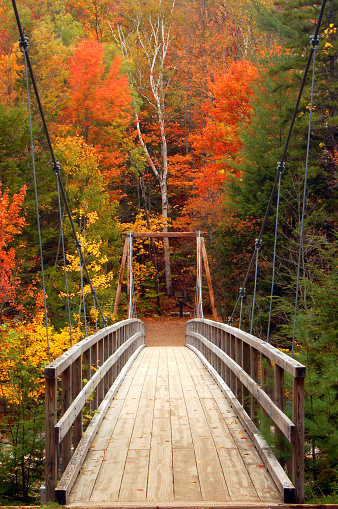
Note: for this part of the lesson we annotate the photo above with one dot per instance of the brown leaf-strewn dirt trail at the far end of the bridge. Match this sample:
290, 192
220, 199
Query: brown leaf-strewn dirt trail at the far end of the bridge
169, 332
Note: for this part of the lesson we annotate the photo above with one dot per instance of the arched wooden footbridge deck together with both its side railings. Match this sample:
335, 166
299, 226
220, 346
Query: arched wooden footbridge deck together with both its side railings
172, 426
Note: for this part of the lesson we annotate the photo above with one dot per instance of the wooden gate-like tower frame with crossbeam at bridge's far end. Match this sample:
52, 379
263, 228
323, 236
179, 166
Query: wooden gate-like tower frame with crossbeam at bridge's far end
200, 249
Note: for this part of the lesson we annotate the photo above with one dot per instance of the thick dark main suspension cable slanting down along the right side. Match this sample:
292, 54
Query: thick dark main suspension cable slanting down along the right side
315, 36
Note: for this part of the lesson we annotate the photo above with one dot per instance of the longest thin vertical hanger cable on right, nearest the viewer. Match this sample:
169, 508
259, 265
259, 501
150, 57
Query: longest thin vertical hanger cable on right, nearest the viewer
314, 47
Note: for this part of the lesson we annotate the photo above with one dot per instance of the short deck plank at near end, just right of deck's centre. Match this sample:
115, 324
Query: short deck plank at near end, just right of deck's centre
186, 481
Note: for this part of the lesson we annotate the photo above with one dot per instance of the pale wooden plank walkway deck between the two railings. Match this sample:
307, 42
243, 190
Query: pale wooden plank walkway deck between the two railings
170, 436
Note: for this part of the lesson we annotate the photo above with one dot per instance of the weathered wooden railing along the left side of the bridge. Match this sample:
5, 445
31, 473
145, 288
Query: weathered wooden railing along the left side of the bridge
79, 385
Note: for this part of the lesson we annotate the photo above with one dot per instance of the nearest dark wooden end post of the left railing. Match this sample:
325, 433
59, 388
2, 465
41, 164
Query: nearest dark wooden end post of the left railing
50, 445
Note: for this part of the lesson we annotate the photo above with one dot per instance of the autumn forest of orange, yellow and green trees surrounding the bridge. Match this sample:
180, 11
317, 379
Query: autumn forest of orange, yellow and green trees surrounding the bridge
166, 115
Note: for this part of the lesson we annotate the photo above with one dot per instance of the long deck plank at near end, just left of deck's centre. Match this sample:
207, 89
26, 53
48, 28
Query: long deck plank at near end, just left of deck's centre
160, 476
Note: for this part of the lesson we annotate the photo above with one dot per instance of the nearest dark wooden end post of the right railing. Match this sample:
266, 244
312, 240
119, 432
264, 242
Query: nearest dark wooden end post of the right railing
298, 445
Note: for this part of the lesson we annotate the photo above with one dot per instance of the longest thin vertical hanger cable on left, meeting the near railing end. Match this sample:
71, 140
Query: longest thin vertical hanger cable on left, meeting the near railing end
24, 48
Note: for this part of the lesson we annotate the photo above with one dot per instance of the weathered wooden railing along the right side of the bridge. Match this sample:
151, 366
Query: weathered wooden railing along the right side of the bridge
251, 374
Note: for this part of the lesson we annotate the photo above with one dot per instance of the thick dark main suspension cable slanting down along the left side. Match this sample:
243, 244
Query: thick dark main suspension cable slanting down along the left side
55, 164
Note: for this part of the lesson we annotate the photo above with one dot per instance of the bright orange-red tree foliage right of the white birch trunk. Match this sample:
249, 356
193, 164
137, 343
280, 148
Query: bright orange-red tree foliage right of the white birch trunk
218, 142
